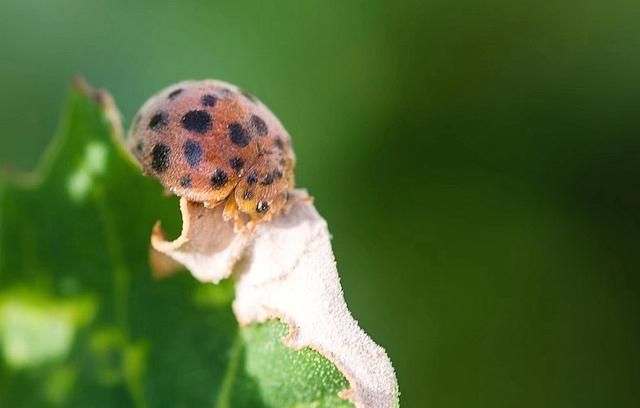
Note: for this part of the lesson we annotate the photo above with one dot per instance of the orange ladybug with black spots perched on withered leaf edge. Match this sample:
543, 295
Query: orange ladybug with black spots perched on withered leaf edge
212, 142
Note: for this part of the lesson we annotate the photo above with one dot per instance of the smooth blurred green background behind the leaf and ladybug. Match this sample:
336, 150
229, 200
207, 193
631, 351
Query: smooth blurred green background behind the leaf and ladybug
478, 164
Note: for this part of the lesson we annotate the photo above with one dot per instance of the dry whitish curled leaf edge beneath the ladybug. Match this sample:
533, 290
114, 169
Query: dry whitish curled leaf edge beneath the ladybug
285, 269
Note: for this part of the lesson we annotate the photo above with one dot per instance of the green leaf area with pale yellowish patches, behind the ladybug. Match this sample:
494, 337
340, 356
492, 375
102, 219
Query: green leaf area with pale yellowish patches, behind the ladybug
82, 321
